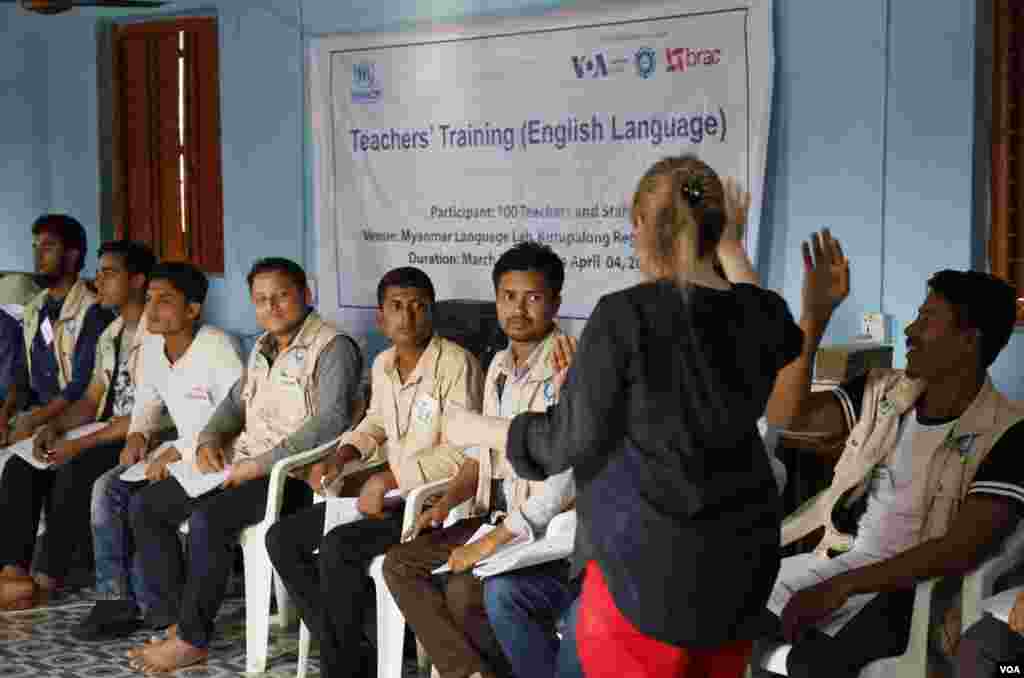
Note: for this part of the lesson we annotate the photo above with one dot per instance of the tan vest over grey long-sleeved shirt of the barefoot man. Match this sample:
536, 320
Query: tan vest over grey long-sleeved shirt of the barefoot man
280, 398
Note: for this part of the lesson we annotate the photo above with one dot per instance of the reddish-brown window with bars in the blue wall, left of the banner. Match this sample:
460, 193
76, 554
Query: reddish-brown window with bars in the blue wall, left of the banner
167, 191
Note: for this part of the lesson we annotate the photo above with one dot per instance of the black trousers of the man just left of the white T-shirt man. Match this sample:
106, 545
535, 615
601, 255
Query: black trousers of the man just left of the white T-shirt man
66, 494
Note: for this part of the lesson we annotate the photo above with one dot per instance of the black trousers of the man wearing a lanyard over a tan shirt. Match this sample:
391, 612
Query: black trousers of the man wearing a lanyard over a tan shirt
328, 588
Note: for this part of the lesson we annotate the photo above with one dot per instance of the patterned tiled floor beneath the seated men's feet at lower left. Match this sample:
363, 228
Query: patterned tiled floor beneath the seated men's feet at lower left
37, 645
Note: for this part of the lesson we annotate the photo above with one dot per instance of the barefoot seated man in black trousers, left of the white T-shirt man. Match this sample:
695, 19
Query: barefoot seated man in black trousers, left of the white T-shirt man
65, 488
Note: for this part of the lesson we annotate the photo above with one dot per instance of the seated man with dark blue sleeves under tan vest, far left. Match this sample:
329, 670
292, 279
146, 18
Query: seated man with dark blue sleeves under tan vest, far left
62, 325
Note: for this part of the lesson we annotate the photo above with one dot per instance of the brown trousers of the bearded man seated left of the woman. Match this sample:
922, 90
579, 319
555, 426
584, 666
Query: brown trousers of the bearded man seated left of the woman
446, 613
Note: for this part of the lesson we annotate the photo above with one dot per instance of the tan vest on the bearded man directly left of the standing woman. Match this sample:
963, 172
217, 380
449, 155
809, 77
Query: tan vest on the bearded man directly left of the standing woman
536, 395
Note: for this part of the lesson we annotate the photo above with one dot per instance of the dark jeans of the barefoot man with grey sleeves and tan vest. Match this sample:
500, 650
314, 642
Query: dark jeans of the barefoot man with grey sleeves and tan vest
190, 594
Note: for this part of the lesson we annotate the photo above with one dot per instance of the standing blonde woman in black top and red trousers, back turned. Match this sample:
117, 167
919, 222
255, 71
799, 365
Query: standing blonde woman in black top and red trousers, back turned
678, 511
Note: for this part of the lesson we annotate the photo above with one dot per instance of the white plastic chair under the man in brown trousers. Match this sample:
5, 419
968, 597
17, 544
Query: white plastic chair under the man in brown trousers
391, 623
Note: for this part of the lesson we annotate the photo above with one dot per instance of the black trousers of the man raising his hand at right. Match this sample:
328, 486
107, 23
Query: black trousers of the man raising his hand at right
882, 629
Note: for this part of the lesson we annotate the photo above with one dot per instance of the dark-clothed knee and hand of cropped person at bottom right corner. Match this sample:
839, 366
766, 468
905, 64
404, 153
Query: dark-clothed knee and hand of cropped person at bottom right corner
993, 647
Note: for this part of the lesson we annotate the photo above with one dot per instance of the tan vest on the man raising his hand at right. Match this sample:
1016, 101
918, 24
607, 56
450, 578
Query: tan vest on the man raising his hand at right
944, 467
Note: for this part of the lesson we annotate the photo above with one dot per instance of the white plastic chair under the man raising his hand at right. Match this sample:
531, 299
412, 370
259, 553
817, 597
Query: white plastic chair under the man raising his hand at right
916, 662
